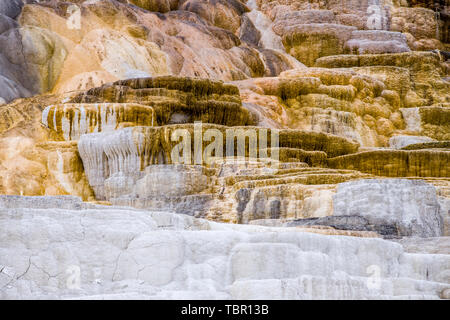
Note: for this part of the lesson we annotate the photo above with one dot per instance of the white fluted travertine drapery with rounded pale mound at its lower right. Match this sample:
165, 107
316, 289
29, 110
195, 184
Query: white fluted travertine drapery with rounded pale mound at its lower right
112, 162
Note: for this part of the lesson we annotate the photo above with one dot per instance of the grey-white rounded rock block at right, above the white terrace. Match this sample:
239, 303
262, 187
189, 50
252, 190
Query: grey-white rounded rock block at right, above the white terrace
397, 207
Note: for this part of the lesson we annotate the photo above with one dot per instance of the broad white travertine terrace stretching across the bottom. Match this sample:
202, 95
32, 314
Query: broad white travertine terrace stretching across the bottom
112, 252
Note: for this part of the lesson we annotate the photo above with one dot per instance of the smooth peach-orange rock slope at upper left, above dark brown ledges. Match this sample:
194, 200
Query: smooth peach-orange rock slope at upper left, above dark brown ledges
198, 39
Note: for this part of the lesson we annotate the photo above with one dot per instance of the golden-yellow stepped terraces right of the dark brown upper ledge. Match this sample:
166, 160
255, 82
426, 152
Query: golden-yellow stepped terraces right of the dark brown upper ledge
355, 104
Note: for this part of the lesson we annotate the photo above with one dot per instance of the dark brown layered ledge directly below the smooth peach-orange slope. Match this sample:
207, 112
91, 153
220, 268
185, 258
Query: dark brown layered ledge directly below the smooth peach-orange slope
176, 99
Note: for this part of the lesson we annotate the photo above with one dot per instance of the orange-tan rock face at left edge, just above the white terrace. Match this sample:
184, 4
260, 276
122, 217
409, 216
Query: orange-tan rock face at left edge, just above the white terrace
30, 163
